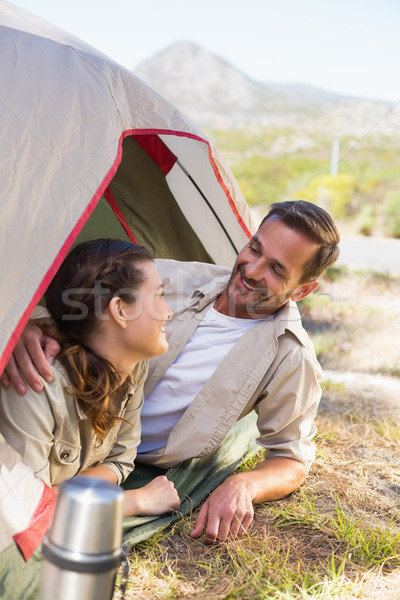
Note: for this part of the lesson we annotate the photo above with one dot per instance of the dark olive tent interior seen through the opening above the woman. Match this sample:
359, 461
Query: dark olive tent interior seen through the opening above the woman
146, 207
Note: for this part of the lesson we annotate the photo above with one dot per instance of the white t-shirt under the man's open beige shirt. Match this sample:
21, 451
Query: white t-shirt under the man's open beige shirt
203, 352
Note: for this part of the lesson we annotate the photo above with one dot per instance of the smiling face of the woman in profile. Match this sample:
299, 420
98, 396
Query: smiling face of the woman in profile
145, 334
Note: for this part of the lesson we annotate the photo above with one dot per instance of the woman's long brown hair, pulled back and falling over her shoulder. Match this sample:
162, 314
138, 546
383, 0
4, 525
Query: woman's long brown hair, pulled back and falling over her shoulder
90, 276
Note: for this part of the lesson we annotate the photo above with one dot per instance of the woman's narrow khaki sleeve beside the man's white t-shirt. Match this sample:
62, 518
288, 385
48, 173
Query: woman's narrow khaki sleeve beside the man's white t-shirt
121, 459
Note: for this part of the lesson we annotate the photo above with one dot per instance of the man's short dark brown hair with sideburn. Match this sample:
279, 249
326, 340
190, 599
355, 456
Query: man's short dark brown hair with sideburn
316, 224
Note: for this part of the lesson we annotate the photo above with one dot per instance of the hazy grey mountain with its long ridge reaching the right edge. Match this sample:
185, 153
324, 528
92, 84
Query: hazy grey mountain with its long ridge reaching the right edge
214, 94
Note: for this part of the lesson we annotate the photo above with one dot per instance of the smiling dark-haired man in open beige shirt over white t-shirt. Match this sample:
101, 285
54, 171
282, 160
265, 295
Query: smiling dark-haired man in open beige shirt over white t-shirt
237, 345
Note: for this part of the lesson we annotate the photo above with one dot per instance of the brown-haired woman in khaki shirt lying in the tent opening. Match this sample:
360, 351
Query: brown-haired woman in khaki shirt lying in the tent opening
108, 312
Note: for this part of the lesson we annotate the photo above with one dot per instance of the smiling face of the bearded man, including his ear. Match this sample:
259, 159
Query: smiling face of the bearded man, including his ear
268, 272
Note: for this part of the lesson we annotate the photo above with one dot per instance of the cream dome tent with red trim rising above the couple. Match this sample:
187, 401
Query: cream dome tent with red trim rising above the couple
88, 149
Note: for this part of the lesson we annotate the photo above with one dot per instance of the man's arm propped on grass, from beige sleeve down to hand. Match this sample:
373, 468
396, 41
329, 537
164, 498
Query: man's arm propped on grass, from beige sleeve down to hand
286, 412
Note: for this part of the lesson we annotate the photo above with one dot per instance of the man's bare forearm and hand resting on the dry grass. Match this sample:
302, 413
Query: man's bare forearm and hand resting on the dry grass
228, 511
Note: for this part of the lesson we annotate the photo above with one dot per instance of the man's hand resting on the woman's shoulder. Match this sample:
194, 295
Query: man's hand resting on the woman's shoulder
34, 350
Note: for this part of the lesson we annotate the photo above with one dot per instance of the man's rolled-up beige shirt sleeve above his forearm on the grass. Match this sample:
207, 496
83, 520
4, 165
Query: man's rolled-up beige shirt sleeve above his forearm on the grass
287, 408
